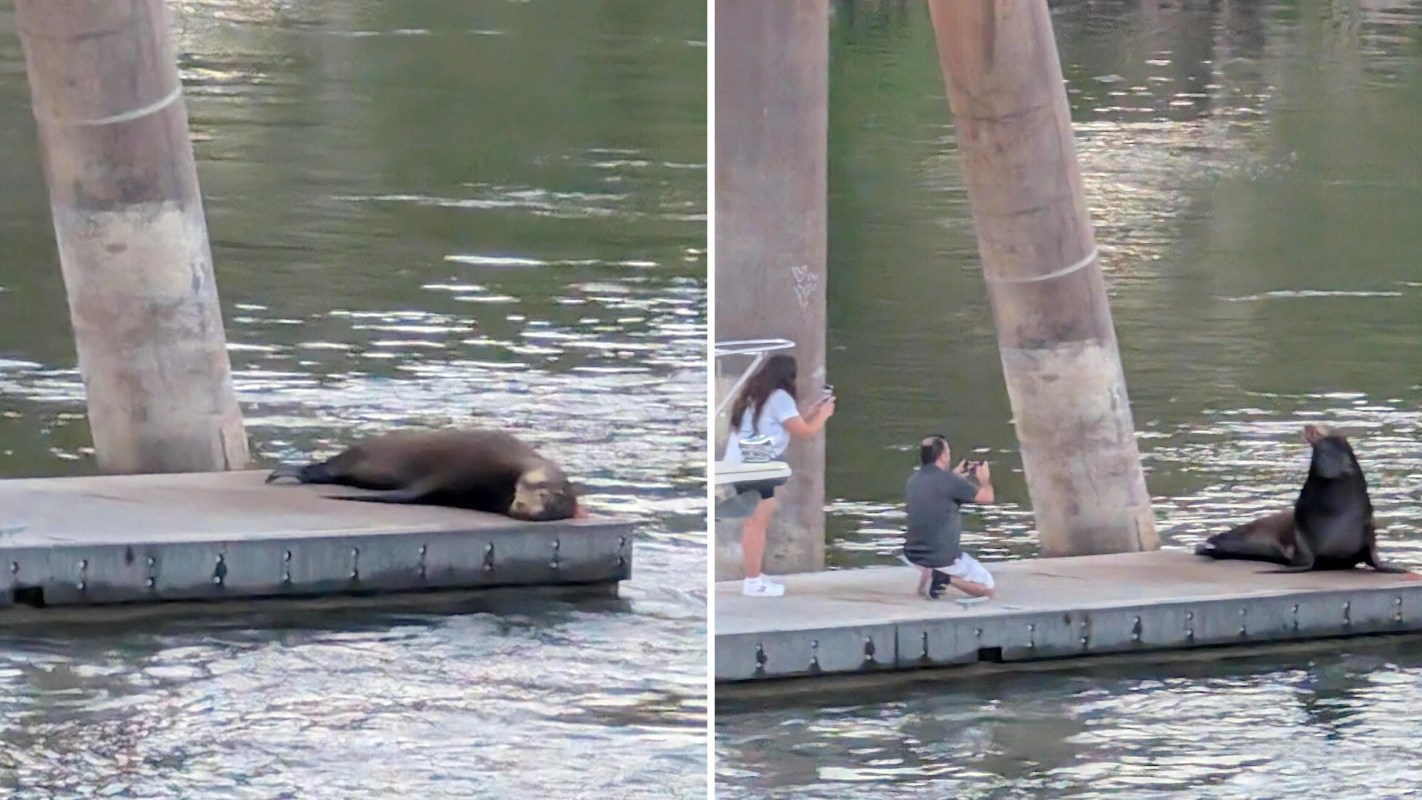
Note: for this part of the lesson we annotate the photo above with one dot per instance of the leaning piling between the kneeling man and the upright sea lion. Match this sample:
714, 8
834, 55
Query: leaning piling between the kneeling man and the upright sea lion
1059, 349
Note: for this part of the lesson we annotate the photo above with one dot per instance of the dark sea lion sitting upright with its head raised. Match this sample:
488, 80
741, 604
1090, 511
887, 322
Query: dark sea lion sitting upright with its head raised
1330, 526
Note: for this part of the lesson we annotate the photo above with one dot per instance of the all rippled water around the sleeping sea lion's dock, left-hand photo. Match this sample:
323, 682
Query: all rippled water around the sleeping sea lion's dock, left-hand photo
422, 214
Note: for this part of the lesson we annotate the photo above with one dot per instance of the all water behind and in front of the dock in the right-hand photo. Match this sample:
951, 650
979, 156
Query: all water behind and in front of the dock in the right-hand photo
1255, 177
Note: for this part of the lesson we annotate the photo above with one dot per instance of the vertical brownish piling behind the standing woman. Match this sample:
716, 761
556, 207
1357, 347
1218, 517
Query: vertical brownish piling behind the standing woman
771, 140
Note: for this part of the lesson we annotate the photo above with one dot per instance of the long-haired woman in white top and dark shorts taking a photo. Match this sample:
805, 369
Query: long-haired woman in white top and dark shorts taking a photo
767, 409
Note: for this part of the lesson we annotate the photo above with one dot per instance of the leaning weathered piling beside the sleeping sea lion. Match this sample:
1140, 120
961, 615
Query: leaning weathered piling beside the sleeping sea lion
132, 234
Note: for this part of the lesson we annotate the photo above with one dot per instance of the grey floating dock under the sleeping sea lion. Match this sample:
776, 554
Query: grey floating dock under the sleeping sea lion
73, 542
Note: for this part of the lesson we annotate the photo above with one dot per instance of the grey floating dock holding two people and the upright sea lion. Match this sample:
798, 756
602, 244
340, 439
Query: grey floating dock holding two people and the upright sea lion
872, 620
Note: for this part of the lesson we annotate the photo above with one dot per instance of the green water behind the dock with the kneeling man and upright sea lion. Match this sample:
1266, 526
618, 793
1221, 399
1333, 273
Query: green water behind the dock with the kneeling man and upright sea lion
1255, 187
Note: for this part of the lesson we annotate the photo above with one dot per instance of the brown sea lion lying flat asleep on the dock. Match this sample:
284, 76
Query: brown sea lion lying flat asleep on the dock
486, 471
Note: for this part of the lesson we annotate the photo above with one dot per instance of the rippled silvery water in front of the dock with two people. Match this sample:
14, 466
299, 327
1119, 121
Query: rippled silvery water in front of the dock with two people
1290, 724
